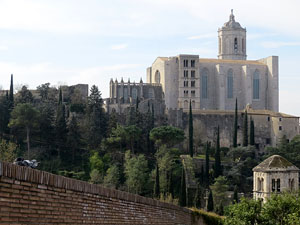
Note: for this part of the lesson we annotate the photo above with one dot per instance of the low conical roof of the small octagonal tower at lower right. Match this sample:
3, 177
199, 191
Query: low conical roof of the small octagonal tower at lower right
275, 163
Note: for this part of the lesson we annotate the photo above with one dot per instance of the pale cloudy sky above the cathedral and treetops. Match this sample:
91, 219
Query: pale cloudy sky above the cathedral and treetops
91, 41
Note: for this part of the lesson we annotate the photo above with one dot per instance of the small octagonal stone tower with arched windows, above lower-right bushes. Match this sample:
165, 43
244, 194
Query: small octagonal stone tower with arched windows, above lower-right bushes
274, 175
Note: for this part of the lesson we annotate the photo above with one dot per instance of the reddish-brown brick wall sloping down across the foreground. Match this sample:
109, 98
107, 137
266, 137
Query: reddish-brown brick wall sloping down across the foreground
29, 196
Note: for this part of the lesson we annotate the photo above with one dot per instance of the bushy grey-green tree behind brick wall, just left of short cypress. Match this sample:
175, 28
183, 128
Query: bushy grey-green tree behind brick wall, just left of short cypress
136, 173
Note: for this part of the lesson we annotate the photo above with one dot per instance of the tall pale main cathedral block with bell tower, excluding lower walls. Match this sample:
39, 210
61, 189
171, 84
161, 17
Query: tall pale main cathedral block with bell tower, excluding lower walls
216, 83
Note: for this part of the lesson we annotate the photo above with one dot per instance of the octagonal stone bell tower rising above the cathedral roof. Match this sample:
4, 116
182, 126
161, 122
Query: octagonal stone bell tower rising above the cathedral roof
232, 40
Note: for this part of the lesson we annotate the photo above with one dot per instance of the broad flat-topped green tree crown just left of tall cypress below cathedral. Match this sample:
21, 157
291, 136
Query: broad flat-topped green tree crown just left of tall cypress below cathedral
167, 135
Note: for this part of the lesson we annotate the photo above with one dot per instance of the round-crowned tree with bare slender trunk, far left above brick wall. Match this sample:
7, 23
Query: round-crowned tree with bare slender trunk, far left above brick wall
25, 116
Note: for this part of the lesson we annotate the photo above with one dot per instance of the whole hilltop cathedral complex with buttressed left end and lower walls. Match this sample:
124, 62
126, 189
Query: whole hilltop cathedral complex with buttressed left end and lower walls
212, 86
